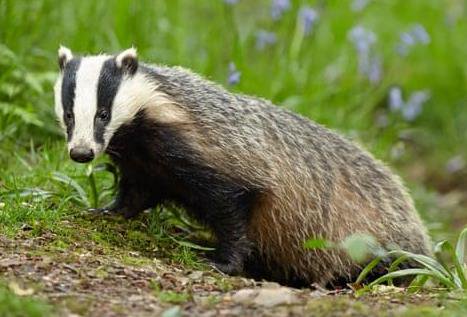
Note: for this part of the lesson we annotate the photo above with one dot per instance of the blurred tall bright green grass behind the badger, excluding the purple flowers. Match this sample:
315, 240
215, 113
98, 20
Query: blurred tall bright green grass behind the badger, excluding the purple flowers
316, 74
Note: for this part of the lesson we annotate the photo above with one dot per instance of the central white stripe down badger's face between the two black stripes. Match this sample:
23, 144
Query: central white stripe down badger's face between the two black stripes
85, 103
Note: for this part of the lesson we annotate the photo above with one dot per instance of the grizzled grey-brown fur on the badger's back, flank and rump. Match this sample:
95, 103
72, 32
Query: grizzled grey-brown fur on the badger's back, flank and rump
316, 184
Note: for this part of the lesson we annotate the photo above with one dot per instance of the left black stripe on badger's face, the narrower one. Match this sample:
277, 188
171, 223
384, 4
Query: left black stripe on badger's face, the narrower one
68, 94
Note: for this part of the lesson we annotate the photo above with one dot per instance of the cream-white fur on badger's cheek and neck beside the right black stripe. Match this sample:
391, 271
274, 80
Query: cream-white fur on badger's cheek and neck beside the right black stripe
134, 94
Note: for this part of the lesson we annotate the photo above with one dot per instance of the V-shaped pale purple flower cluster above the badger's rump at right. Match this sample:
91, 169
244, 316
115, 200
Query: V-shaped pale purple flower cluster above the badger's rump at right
411, 109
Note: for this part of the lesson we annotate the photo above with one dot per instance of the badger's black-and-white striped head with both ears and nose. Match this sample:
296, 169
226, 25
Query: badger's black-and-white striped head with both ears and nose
94, 96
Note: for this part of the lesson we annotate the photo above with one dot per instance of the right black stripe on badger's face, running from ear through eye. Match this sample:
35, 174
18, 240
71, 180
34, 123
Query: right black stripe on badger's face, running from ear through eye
109, 81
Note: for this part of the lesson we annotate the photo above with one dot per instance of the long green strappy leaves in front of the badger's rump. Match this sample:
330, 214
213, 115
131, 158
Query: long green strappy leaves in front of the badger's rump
448, 268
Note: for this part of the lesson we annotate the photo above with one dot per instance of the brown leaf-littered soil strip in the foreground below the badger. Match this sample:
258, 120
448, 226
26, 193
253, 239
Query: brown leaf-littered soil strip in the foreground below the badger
86, 279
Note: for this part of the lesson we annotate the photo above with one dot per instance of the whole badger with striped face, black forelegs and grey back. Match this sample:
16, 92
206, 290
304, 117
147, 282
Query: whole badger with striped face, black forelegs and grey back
261, 177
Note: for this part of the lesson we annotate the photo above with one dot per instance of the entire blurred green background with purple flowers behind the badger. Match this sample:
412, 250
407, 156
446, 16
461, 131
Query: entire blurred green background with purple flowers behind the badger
391, 74
